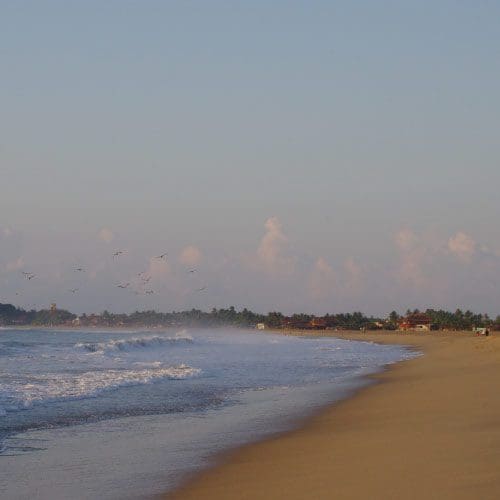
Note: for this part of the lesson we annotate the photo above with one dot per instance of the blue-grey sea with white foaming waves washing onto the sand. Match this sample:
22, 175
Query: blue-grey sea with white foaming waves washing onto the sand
127, 414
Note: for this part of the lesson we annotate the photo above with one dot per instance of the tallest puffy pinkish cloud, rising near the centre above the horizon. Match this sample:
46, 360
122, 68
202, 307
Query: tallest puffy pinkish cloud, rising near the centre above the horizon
271, 251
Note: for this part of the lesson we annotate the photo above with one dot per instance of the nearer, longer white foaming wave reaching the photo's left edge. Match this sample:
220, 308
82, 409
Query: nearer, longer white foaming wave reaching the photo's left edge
51, 388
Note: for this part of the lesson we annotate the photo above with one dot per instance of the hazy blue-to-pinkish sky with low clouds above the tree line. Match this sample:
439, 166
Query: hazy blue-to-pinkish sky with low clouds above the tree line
301, 156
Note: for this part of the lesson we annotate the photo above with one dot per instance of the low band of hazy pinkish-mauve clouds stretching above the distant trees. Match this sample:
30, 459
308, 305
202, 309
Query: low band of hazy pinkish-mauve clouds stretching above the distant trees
417, 268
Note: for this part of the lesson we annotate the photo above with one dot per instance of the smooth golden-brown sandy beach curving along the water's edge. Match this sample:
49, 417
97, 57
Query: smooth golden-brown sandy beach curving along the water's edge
430, 429
